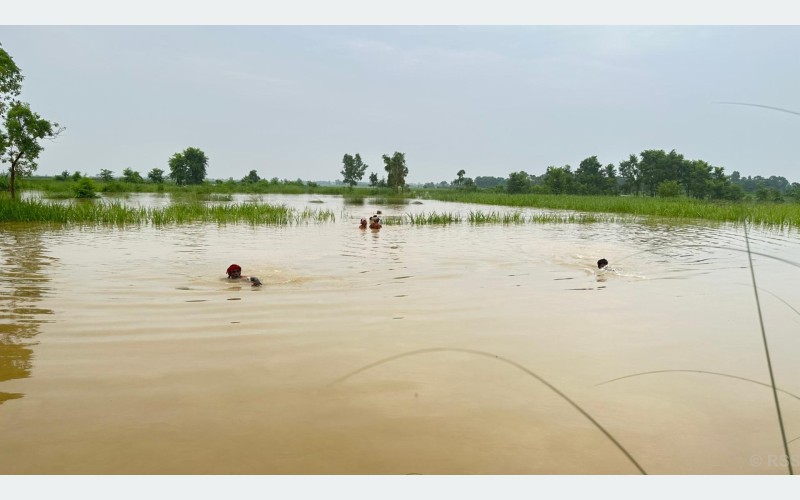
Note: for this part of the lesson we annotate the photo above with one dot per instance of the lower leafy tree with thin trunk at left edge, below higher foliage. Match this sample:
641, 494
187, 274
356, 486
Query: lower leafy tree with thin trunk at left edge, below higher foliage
20, 144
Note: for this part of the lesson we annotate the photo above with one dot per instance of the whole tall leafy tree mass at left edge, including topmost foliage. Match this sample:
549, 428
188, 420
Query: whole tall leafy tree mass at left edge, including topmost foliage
21, 130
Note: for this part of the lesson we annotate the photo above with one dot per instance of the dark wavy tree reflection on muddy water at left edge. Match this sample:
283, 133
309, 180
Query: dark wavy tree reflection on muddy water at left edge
23, 282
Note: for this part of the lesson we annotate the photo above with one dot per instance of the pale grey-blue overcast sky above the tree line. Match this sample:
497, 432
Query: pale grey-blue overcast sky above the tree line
290, 101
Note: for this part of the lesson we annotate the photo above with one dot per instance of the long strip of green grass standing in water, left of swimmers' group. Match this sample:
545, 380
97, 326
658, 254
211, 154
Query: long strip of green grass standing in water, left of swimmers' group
119, 214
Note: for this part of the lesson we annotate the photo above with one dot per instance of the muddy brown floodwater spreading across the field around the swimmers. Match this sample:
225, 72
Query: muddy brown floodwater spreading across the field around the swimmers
457, 349
